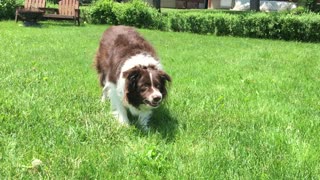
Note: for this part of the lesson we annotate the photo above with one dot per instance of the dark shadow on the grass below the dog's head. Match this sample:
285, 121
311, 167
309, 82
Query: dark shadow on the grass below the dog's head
163, 123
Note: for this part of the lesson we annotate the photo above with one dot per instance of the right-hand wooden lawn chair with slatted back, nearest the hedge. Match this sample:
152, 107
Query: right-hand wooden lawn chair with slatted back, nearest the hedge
68, 10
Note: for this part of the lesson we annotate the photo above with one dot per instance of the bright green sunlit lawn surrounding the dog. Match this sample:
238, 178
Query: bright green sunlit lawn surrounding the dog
237, 109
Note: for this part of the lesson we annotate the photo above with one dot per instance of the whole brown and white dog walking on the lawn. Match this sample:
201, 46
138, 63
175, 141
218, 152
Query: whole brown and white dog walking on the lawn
130, 74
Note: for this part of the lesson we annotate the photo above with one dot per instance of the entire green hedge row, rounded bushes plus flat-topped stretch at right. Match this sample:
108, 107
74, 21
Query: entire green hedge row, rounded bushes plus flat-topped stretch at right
286, 26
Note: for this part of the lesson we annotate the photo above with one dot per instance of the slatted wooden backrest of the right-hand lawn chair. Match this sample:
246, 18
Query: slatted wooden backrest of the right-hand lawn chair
67, 7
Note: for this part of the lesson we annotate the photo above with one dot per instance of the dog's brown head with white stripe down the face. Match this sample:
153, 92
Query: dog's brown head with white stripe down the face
145, 85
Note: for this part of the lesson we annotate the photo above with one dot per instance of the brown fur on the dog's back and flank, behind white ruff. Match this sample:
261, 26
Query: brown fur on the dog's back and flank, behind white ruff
117, 44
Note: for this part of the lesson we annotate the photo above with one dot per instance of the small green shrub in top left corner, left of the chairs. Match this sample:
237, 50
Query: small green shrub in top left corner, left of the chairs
7, 9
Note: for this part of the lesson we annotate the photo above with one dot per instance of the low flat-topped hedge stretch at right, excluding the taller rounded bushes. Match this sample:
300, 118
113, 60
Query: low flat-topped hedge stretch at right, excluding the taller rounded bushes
288, 26
